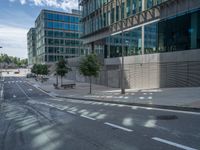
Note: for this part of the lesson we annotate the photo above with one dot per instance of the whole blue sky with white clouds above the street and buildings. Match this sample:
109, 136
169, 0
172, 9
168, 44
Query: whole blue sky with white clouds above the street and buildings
18, 16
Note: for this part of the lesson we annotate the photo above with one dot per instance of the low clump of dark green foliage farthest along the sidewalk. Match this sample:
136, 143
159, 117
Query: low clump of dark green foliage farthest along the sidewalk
40, 69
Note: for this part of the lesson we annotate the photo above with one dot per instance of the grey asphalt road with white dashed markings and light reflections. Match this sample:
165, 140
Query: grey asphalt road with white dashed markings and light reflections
31, 119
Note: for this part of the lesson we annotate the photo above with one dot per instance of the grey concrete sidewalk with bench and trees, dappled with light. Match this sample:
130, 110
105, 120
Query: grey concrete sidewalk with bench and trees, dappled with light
180, 98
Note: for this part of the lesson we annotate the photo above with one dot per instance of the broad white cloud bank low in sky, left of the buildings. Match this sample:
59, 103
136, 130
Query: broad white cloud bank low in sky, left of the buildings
13, 40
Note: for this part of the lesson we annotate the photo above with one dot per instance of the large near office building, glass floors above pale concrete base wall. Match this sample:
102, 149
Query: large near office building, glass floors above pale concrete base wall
160, 40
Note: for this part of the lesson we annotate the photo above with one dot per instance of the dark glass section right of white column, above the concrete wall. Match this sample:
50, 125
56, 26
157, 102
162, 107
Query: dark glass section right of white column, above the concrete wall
174, 34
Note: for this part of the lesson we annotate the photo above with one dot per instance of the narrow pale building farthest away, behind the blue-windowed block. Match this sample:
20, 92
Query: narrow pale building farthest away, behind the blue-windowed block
31, 45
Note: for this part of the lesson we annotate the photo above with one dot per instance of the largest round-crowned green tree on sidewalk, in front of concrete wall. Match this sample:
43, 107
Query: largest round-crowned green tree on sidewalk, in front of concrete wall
90, 67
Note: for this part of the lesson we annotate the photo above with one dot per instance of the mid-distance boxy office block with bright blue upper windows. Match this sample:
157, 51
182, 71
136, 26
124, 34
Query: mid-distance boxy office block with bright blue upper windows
57, 36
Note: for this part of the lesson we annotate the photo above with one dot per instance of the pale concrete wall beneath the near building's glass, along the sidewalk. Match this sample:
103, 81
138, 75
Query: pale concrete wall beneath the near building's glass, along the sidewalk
174, 69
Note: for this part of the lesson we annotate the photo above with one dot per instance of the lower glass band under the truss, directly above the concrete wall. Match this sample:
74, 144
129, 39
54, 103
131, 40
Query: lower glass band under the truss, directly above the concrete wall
174, 34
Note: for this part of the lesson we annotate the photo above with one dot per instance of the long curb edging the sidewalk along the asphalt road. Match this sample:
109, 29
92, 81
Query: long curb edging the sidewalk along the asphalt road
180, 108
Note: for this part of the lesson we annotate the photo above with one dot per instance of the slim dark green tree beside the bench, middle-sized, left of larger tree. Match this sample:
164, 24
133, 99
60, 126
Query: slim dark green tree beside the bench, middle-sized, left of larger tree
62, 69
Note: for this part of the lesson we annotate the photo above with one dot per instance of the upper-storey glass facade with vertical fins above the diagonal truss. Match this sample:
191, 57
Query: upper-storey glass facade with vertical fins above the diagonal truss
113, 13
